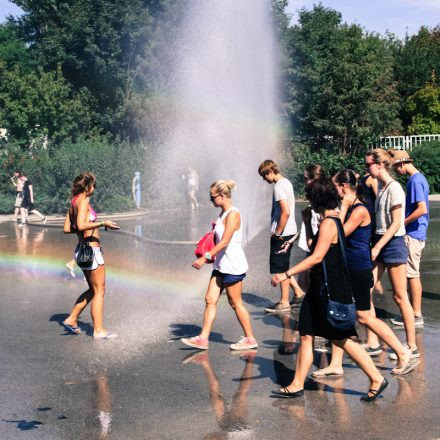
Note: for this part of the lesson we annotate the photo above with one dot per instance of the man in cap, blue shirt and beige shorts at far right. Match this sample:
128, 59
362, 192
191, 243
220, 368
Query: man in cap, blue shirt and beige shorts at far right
416, 225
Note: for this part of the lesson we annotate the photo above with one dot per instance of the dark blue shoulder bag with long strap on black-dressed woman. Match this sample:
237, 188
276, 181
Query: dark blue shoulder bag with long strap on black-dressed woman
340, 316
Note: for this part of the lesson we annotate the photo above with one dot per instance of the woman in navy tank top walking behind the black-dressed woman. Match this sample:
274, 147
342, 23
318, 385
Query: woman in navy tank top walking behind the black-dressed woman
357, 228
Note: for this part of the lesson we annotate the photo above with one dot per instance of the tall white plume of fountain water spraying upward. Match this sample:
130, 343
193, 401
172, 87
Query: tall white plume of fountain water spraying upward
224, 94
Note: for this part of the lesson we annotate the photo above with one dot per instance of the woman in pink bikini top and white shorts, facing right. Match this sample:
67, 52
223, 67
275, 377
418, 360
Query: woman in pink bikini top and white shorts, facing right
82, 220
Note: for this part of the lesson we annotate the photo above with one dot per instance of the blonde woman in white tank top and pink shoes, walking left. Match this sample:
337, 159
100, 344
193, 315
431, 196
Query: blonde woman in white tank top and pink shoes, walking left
230, 268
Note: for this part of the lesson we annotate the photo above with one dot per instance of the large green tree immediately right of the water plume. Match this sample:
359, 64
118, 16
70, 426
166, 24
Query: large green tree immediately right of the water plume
341, 88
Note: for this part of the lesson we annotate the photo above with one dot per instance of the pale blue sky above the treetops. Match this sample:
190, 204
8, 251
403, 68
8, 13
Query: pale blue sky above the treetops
395, 16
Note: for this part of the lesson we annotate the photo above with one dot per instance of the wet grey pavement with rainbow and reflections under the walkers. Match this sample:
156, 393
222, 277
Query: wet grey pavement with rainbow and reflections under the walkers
146, 384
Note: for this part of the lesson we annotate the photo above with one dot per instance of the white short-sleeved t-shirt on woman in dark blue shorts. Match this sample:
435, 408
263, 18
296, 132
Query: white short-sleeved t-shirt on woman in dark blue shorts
387, 197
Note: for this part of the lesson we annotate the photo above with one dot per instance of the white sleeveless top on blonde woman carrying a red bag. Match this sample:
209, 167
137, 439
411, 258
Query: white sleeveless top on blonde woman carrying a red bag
230, 260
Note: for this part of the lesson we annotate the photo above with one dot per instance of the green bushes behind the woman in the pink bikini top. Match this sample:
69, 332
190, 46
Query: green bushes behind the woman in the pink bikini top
52, 173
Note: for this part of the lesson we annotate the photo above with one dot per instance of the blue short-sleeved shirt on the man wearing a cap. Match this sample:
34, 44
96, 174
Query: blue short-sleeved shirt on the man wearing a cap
417, 190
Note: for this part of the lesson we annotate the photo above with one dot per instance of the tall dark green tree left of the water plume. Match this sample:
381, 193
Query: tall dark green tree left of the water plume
96, 43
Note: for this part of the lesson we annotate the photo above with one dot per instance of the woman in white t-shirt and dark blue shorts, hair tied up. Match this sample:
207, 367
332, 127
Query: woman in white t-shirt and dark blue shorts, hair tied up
389, 250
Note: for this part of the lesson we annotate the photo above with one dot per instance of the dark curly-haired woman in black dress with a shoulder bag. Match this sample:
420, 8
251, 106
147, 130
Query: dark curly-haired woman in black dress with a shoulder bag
324, 199
